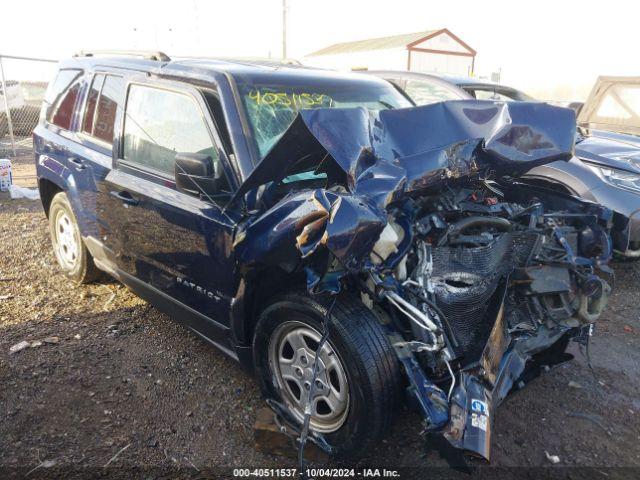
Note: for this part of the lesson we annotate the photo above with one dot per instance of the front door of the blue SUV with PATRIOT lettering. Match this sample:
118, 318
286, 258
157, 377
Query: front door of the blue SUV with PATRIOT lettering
173, 247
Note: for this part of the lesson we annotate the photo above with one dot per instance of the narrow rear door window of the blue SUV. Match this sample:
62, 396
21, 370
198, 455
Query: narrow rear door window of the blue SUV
105, 96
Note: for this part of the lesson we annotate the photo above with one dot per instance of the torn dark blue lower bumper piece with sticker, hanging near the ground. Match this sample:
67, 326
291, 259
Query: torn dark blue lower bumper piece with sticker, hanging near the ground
464, 417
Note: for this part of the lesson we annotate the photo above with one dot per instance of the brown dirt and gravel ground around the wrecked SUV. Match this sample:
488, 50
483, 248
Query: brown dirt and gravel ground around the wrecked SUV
119, 377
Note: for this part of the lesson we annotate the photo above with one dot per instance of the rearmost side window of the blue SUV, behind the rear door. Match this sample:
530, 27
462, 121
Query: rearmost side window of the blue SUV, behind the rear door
61, 98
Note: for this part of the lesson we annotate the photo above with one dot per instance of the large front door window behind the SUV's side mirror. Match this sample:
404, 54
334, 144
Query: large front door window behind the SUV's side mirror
160, 123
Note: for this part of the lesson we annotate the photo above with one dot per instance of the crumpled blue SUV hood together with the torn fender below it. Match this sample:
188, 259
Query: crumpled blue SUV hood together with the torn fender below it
382, 159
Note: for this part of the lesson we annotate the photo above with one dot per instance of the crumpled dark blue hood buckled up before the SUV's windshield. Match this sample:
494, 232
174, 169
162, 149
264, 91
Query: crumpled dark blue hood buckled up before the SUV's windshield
390, 152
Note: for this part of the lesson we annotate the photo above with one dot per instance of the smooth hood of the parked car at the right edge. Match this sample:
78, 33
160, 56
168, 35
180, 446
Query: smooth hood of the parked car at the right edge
609, 153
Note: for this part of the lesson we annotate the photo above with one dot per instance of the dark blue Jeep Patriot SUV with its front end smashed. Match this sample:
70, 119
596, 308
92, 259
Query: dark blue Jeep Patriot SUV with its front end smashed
340, 243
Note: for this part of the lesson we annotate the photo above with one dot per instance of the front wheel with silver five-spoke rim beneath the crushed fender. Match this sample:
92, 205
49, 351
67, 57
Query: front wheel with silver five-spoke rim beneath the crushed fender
365, 359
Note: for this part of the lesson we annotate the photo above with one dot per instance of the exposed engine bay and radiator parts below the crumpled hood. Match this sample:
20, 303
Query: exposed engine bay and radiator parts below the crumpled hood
471, 249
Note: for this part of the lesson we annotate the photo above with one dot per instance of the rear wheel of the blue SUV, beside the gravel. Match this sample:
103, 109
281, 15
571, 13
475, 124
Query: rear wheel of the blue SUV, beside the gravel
70, 251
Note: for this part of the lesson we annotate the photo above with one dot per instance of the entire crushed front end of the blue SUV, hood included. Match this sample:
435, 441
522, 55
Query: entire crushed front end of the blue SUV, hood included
480, 280
